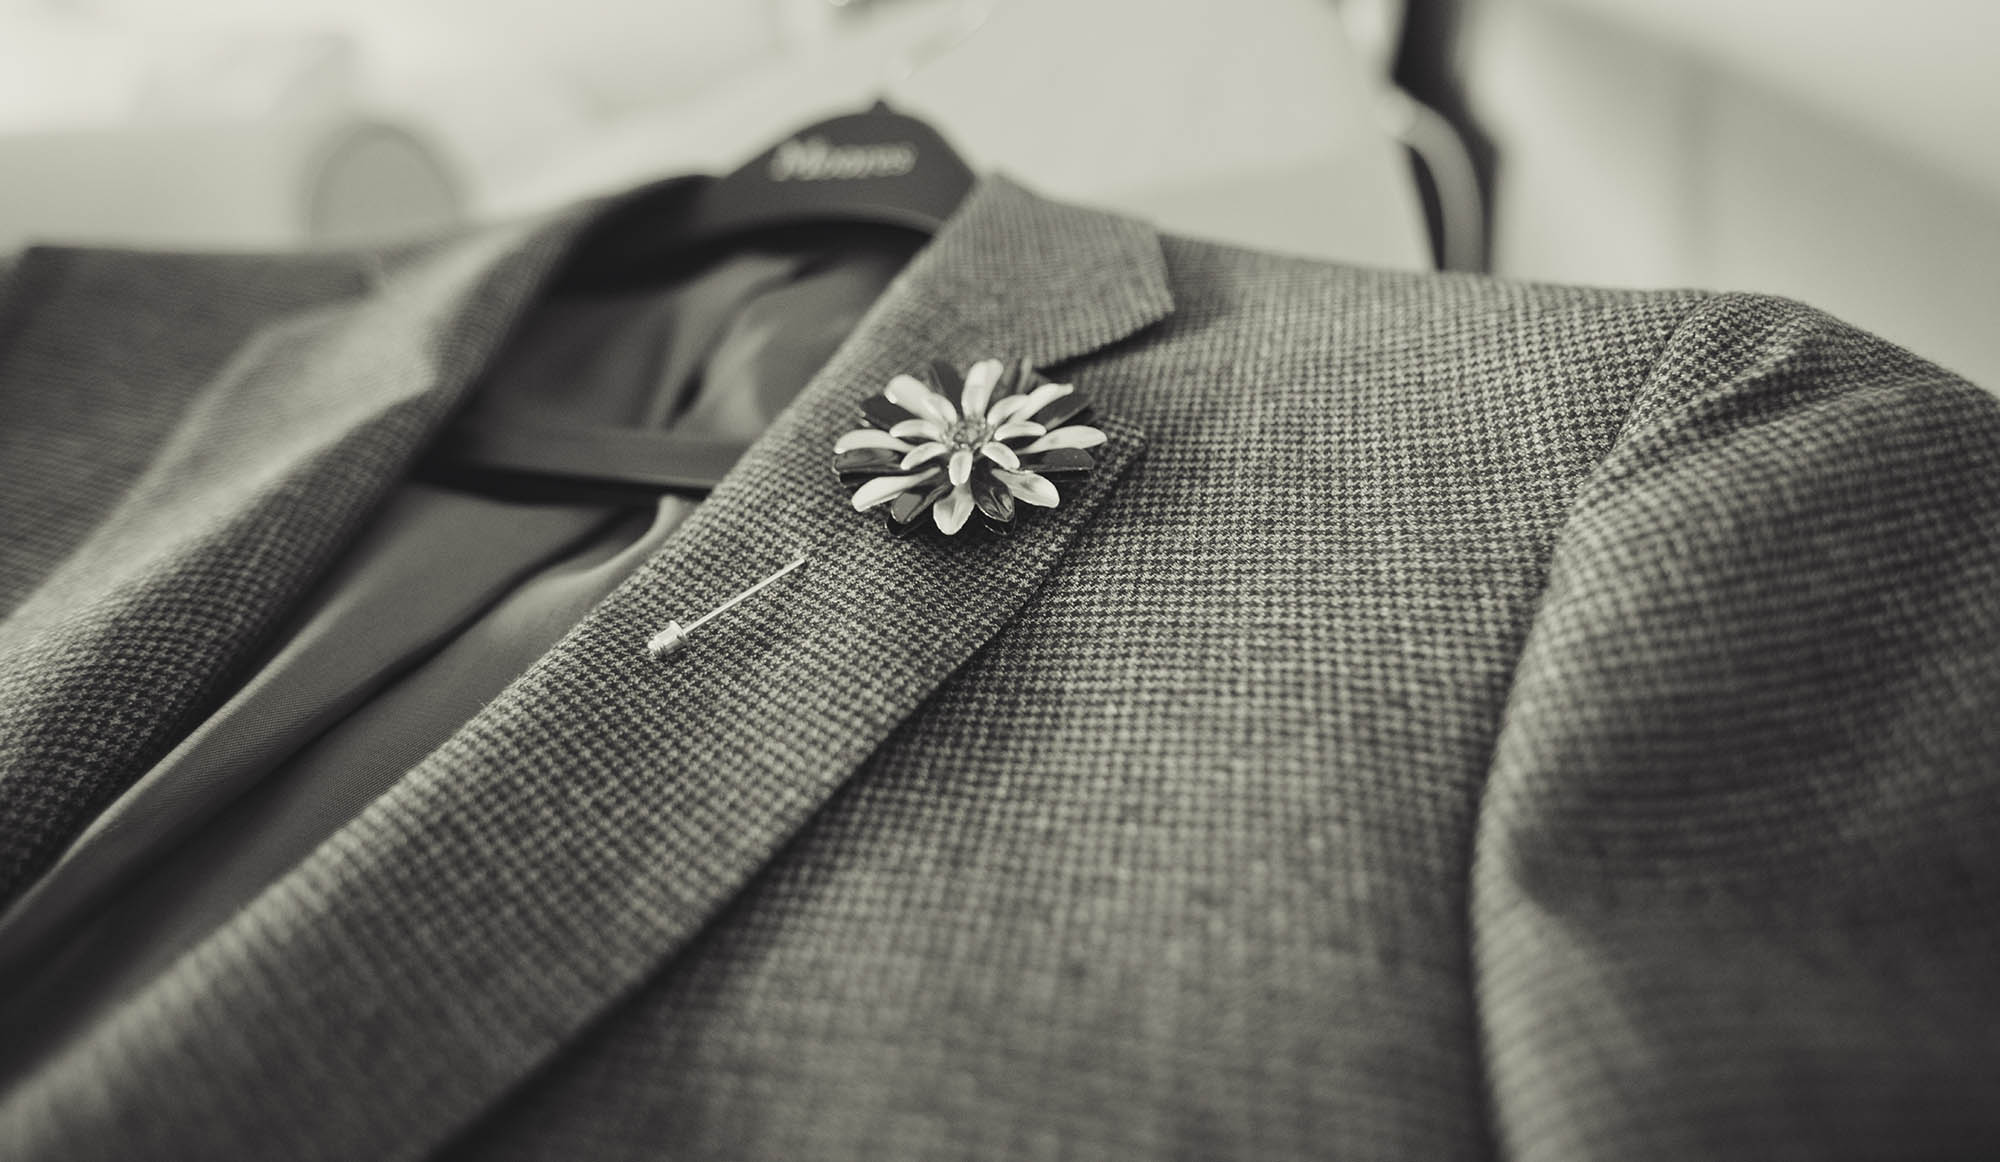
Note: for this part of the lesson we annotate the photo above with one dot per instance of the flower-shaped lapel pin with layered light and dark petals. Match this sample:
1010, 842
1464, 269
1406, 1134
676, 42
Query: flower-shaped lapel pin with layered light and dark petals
1007, 441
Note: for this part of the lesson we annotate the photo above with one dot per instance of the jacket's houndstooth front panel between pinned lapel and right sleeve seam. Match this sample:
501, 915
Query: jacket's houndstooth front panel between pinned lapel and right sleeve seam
1177, 865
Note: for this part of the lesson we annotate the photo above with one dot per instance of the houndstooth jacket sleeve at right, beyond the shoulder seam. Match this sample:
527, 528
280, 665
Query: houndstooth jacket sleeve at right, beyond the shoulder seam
1737, 879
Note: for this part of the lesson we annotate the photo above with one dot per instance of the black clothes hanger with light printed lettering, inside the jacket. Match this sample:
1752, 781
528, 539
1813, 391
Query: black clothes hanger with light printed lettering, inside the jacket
877, 169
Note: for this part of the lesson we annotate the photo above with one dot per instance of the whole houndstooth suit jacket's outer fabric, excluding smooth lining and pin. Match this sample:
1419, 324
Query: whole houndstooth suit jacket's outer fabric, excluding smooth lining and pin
1459, 719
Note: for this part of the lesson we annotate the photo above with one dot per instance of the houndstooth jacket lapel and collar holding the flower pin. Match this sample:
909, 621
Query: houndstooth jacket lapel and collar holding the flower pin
583, 829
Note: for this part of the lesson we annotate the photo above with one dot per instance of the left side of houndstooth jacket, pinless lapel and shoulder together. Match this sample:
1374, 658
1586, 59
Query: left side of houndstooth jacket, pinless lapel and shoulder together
189, 445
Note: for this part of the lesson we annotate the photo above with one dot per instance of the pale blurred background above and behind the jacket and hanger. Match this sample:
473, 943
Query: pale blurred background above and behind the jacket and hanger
1833, 151
